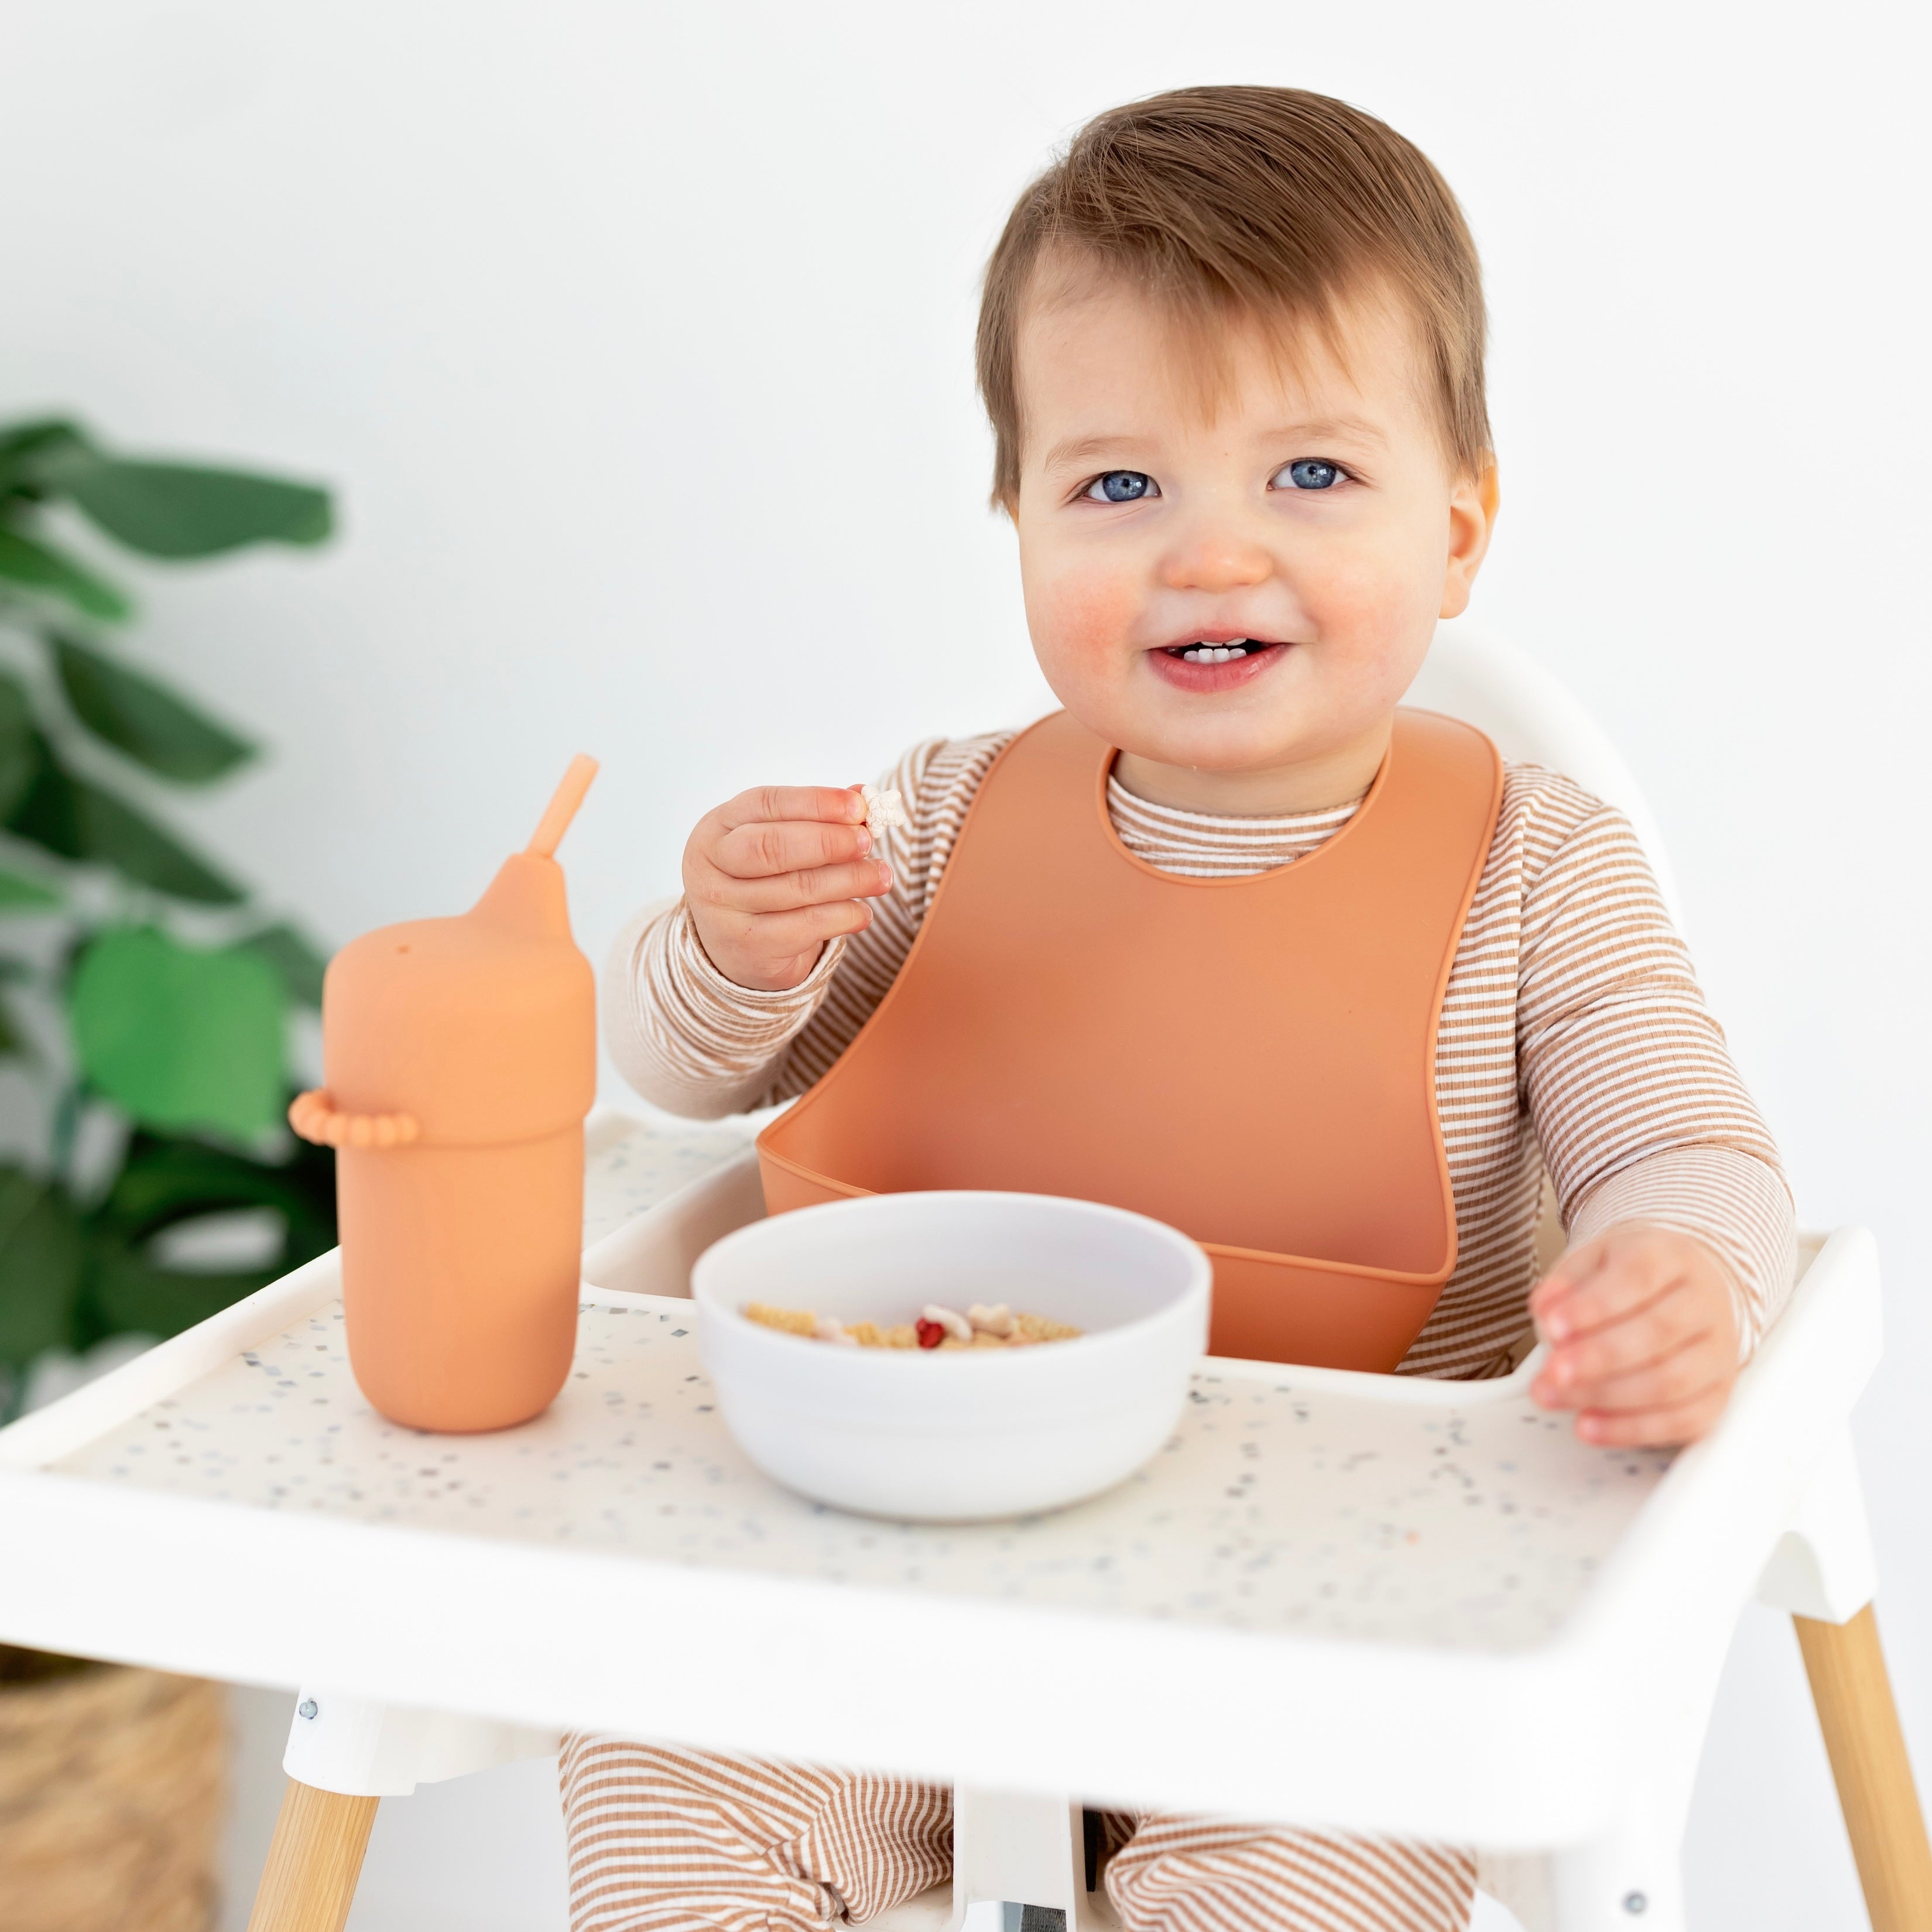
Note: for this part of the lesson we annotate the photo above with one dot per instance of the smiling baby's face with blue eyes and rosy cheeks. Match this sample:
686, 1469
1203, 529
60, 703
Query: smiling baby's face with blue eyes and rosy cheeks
1236, 596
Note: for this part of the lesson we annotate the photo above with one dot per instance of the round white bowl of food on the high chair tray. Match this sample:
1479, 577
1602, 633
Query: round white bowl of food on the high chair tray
955, 1435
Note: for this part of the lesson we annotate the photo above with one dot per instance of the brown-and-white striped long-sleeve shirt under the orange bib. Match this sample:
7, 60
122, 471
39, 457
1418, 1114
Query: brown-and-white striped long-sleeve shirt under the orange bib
1574, 1037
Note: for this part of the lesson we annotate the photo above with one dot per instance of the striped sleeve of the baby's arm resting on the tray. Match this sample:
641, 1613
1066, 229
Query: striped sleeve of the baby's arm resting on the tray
1637, 1104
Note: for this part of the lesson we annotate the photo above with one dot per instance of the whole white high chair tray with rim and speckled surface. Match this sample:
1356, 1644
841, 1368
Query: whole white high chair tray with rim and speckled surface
1317, 1558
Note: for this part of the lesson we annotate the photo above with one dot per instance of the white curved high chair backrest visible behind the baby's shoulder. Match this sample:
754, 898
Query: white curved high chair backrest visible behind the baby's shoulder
1537, 722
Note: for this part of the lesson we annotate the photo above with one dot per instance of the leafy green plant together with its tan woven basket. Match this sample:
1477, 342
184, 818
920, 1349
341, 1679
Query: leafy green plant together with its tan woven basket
148, 1000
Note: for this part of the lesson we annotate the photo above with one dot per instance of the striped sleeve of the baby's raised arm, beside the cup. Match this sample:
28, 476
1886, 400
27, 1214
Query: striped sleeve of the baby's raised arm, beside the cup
702, 1046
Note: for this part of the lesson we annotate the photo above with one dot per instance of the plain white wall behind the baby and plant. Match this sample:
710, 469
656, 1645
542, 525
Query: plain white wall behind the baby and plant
639, 345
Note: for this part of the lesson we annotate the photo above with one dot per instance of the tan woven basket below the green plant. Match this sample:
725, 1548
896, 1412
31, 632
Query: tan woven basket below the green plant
111, 1802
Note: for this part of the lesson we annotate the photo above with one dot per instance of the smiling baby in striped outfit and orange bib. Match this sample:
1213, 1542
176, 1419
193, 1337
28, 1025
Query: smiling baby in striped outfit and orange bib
1234, 355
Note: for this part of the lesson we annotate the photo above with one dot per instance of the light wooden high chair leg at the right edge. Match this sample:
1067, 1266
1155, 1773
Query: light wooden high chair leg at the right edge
1875, 1778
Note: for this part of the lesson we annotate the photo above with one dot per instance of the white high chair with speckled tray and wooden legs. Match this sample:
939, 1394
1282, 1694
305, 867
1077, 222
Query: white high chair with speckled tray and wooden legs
285, 1537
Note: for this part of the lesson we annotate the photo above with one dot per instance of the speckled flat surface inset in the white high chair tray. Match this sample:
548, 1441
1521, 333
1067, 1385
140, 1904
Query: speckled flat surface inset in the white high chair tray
1272, 1508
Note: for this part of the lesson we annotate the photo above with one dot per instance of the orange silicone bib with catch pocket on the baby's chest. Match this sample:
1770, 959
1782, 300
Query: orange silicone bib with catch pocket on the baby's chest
1247, 1060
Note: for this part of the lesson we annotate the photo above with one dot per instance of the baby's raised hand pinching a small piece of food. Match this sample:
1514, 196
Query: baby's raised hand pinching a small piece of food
776, 874
